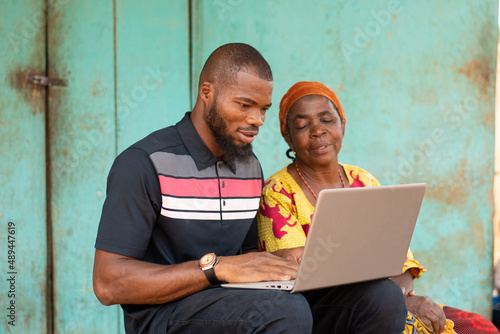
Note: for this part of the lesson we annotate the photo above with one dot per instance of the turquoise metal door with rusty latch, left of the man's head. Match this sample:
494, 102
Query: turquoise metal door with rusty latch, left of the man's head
126, 66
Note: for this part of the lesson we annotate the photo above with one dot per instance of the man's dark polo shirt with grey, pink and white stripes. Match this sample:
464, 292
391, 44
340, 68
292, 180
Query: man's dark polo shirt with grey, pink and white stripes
170, 200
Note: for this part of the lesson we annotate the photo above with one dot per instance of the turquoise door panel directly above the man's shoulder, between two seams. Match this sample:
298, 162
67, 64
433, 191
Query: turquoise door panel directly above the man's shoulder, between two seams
152, 67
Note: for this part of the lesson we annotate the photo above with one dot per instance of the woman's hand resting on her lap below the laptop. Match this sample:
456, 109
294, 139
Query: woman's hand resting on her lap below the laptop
427, 310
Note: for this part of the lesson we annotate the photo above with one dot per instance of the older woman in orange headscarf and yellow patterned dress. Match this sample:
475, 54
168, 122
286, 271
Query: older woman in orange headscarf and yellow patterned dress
312, 122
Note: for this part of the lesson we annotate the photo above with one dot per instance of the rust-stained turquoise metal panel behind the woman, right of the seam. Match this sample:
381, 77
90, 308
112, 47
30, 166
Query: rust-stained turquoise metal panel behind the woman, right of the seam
416, 79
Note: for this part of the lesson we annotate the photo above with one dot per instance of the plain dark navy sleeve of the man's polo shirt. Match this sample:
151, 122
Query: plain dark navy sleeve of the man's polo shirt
133, 202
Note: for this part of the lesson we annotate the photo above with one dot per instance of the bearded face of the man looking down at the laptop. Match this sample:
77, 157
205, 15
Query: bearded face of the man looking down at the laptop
237, 113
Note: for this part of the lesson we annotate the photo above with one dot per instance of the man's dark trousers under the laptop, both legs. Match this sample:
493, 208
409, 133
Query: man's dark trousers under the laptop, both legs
371, 307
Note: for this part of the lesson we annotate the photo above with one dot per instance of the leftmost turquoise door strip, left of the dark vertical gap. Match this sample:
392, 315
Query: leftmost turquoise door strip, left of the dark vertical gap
22, 167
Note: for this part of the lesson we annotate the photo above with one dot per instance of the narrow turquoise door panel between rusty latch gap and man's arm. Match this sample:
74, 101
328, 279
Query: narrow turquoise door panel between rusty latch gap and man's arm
82, 148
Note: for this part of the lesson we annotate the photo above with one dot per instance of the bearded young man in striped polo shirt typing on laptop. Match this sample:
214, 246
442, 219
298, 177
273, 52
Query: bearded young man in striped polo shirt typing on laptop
179, 218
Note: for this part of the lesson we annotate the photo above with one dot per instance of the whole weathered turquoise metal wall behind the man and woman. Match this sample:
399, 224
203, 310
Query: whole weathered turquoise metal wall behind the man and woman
416, 79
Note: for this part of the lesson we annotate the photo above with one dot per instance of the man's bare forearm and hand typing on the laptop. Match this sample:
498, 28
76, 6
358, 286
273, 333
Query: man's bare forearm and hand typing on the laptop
120, 279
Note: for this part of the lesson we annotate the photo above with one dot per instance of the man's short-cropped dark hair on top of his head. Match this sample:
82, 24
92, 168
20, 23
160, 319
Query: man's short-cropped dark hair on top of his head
227, 60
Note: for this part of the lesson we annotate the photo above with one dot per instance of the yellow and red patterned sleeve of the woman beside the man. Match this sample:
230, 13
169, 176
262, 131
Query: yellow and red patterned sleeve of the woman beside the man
278, 226
